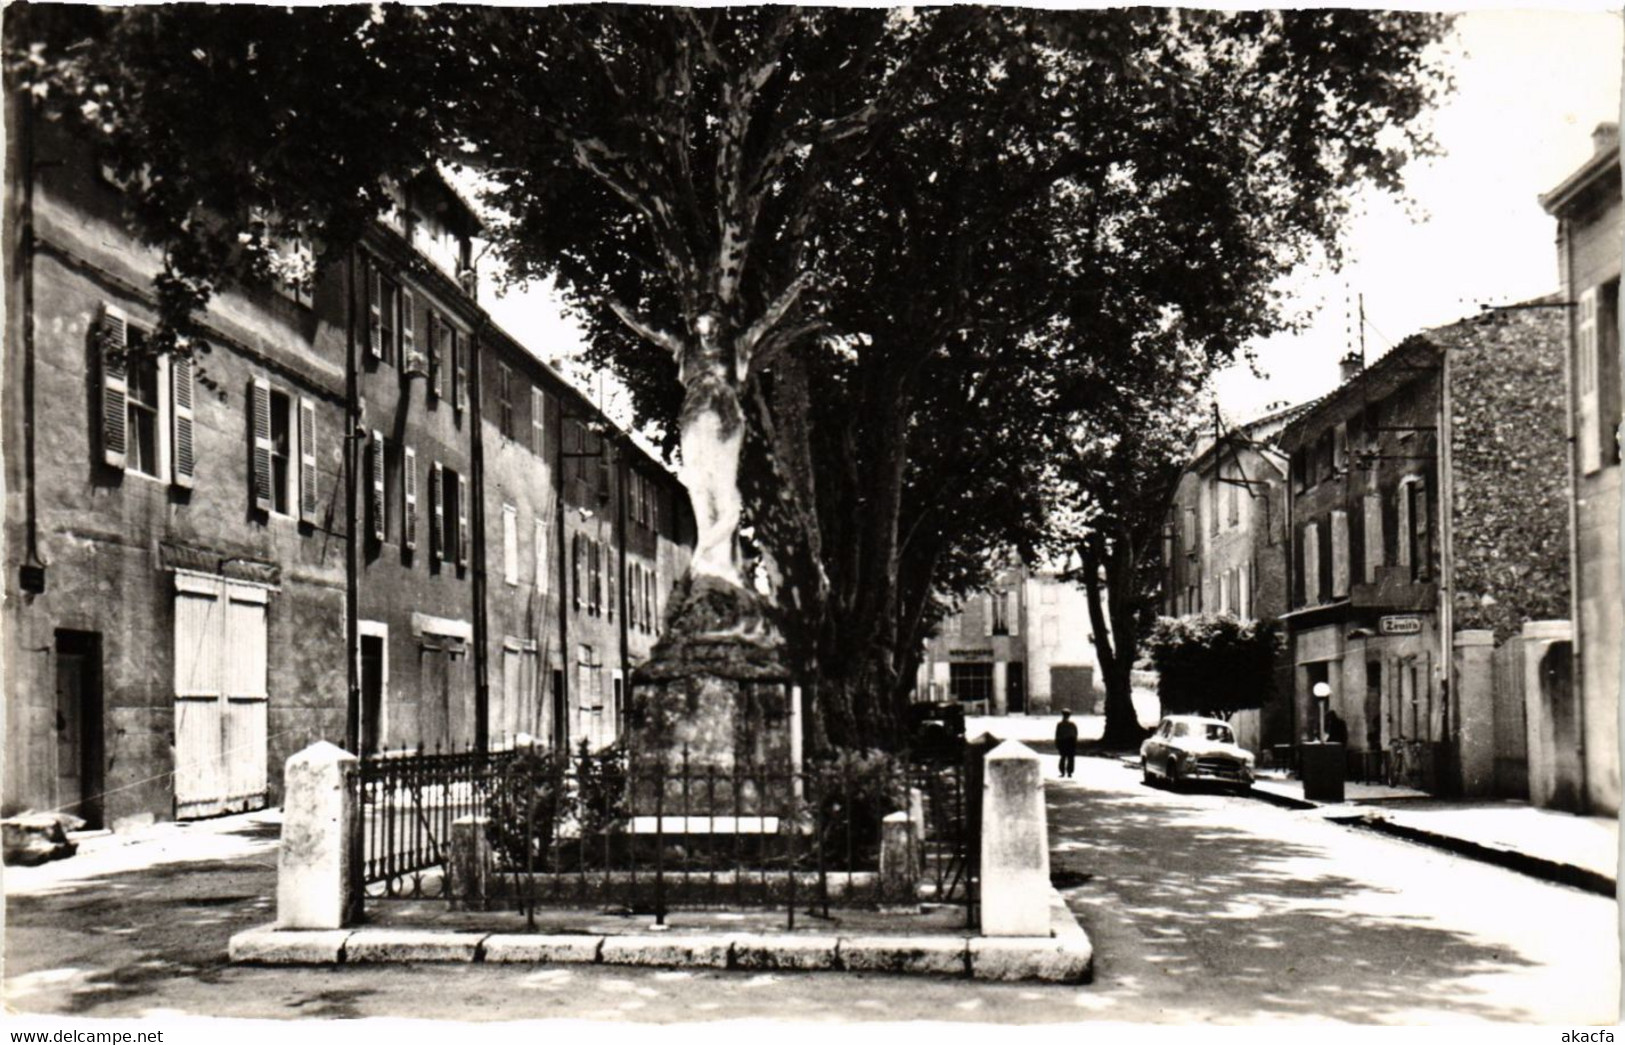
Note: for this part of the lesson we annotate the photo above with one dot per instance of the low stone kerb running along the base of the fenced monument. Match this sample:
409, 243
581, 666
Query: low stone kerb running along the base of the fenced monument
1067, 956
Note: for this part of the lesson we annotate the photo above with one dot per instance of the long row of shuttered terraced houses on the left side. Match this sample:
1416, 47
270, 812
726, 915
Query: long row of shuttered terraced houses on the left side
176, 531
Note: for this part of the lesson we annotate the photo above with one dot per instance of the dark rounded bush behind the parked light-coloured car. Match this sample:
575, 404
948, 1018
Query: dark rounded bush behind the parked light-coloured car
1215, 664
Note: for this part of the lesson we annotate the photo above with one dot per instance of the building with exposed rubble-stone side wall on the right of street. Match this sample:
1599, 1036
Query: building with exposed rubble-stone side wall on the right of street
1428, 522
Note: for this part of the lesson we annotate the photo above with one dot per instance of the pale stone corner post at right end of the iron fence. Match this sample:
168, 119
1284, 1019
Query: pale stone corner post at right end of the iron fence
1015, 844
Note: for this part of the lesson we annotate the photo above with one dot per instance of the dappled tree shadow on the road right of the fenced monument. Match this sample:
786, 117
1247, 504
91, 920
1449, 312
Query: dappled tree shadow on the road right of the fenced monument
1237, 914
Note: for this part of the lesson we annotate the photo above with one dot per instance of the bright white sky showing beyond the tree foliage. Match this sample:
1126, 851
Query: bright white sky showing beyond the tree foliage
1532, 85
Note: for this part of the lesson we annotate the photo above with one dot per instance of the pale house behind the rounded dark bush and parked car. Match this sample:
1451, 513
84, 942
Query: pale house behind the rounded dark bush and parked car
1224, 545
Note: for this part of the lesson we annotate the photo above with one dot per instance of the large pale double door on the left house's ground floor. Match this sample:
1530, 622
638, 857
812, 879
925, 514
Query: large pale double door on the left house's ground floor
222, 698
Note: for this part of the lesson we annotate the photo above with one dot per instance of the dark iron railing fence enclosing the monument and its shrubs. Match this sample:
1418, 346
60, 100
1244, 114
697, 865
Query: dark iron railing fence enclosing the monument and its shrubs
531, 830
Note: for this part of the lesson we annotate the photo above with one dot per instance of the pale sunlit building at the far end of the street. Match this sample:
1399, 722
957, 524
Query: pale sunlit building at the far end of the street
1023, 648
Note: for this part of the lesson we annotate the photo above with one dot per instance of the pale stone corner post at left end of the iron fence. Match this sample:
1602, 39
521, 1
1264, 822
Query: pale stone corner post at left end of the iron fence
314, 869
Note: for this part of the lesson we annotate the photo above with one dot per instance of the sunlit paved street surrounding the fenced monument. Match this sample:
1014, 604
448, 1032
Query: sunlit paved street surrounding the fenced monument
1203, 908
